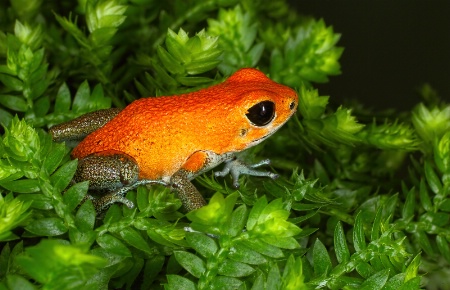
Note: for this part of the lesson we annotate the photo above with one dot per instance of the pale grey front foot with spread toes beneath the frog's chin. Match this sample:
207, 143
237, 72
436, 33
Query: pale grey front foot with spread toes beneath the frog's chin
235, 167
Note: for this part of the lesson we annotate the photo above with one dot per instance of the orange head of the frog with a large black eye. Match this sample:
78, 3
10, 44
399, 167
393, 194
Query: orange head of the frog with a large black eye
262, 106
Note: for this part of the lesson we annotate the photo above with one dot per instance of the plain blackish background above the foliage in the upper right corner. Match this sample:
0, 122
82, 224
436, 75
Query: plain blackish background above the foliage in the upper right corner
391, 48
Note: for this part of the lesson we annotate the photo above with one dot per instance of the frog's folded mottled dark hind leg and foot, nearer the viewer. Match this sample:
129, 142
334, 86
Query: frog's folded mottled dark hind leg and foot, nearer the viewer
115, 173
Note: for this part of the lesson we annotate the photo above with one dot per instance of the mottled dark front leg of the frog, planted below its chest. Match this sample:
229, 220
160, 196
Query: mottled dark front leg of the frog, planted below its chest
189, 195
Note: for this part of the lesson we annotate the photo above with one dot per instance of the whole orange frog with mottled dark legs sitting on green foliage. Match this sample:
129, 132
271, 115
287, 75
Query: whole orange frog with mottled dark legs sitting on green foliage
171, 140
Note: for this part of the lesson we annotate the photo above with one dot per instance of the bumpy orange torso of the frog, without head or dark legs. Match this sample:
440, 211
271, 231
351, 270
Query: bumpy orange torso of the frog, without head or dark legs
161, 133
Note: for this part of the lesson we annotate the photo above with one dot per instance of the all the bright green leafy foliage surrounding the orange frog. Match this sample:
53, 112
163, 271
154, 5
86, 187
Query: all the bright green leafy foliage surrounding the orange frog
368, 210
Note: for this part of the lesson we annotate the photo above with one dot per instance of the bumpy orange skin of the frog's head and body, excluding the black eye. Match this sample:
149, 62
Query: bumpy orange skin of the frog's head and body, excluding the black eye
162, 133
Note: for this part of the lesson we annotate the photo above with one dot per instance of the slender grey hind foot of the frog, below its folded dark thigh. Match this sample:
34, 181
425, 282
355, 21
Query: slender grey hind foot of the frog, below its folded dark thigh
118, 196
